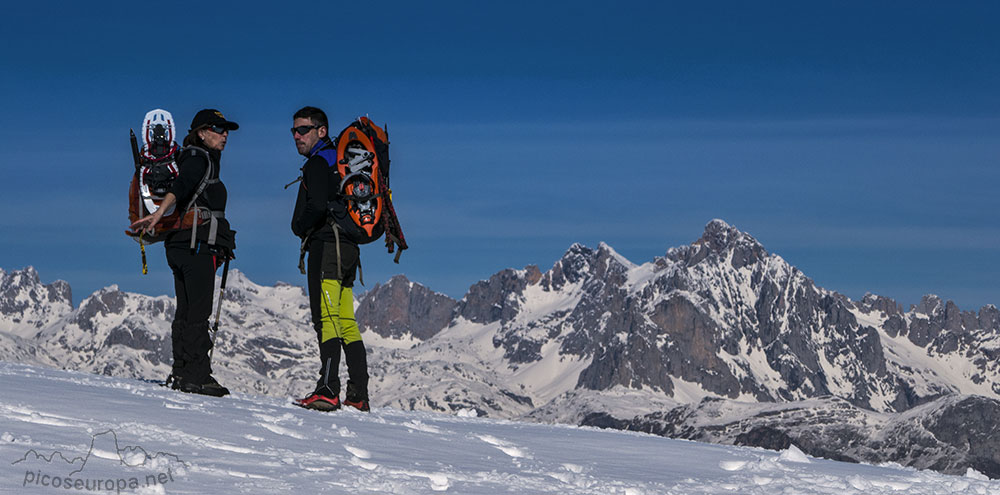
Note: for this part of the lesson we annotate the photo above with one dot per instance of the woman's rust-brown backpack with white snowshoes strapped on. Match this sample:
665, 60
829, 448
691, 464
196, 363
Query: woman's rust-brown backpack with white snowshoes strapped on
155, 171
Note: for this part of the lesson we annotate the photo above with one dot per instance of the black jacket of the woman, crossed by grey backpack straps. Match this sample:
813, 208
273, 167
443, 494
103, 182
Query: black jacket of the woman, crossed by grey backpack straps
191, 169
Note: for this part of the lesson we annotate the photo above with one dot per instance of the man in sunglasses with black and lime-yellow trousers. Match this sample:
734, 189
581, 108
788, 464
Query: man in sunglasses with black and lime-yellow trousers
333, 264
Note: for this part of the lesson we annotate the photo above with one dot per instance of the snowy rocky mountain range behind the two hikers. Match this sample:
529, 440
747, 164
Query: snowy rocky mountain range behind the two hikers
717, 341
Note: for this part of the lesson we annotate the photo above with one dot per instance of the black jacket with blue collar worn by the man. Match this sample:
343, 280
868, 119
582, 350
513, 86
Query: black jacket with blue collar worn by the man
318, 193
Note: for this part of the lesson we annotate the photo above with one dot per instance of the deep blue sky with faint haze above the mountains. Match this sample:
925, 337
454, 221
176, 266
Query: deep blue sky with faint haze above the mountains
858, 140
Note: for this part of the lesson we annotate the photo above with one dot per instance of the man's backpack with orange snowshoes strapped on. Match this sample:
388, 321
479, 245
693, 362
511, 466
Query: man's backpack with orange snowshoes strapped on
363, 165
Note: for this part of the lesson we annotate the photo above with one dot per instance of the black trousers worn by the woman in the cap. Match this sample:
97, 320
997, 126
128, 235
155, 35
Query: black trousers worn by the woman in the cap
194, 282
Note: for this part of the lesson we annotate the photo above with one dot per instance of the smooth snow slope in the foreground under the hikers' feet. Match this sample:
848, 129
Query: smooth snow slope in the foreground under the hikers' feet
69, 432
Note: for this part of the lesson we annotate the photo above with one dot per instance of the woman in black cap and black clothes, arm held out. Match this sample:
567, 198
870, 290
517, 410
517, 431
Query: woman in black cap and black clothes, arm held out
194, 253
